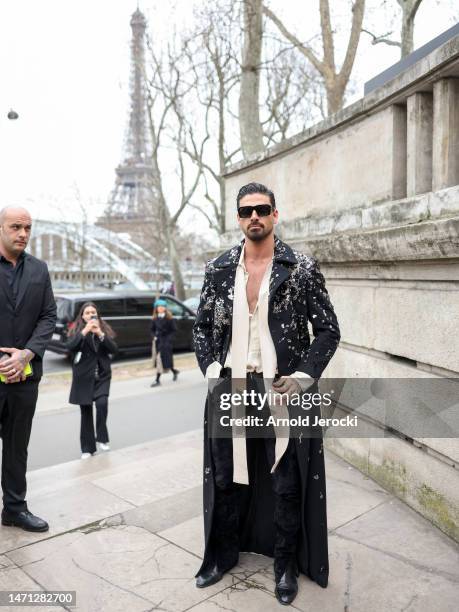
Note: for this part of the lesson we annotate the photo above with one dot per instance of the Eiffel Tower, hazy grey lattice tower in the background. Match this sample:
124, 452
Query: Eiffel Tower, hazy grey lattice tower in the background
131, 200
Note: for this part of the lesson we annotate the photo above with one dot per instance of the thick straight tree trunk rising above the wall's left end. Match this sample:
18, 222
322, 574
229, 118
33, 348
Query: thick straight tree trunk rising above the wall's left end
249, 112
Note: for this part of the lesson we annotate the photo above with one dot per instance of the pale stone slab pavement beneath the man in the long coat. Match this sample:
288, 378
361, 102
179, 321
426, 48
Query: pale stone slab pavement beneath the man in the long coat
126, 533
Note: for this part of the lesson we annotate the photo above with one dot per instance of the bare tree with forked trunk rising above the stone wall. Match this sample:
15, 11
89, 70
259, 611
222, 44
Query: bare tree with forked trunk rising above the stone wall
335, 81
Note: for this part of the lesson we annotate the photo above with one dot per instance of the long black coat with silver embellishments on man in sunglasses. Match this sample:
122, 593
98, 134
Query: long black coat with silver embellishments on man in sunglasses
297, 294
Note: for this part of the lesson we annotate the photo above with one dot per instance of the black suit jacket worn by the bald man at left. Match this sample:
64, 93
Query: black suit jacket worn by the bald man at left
31, 323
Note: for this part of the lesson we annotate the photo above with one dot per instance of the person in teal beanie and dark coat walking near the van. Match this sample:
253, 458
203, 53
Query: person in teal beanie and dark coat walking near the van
163, 328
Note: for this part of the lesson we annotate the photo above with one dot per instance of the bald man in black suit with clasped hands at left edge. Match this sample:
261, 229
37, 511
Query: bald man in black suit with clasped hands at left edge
27, 322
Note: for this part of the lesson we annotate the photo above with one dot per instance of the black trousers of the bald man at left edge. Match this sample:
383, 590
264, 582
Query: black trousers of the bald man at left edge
17, 407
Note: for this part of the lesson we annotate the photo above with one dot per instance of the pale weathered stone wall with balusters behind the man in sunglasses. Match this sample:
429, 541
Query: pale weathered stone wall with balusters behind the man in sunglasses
373, 193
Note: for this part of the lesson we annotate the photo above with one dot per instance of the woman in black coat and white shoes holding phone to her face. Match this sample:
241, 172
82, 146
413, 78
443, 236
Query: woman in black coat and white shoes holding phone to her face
90, 344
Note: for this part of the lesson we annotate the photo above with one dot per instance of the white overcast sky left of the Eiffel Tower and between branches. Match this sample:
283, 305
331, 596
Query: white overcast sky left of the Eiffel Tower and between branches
64, 67
